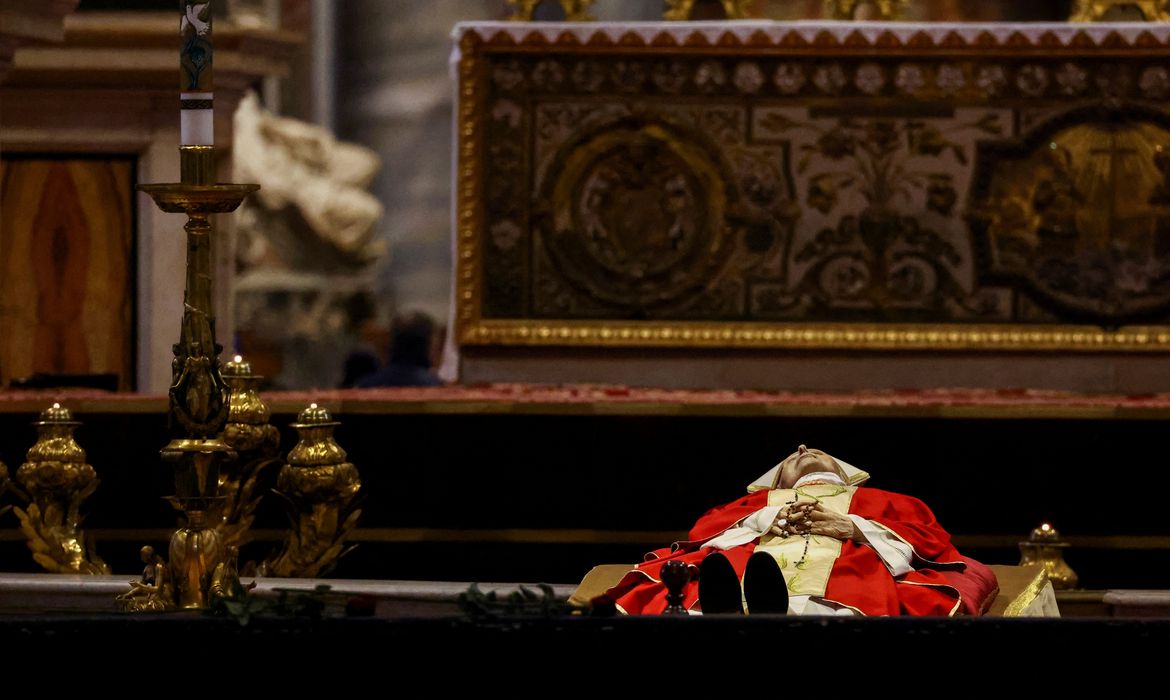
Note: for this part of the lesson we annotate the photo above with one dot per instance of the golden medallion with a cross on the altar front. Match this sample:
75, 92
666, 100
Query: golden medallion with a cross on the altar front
1078, 211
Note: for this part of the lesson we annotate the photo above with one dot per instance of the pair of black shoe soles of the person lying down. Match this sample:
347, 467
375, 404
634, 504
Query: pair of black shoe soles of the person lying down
763, 587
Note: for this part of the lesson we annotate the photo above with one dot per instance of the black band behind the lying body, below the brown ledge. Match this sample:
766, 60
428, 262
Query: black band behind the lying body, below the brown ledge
989, 482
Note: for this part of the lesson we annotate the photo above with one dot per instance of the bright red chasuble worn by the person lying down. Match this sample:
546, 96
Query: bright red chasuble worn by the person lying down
858, 579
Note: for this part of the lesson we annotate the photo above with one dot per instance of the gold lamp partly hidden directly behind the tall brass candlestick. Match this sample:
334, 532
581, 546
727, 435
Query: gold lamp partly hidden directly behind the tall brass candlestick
258, 445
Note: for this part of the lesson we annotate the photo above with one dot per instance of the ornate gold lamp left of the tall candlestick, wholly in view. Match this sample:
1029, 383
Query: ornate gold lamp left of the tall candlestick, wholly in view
56, 482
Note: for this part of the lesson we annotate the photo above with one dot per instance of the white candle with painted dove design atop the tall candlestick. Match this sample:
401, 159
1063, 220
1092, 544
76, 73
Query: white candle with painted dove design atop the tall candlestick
196, 122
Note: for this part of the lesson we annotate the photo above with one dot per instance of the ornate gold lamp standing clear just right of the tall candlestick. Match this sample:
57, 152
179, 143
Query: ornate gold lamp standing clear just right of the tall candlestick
322, 493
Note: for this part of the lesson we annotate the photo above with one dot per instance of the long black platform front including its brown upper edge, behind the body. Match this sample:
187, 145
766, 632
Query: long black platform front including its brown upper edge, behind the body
541, 484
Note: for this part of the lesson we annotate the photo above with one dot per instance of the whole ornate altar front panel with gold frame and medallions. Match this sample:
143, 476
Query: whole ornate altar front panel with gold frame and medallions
814, 186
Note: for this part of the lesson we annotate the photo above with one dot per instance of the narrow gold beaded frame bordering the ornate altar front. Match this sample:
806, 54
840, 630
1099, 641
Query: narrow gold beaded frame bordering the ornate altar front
473, 330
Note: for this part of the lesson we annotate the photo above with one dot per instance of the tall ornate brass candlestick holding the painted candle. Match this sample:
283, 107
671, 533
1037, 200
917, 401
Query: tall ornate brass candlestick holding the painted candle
199, 407
